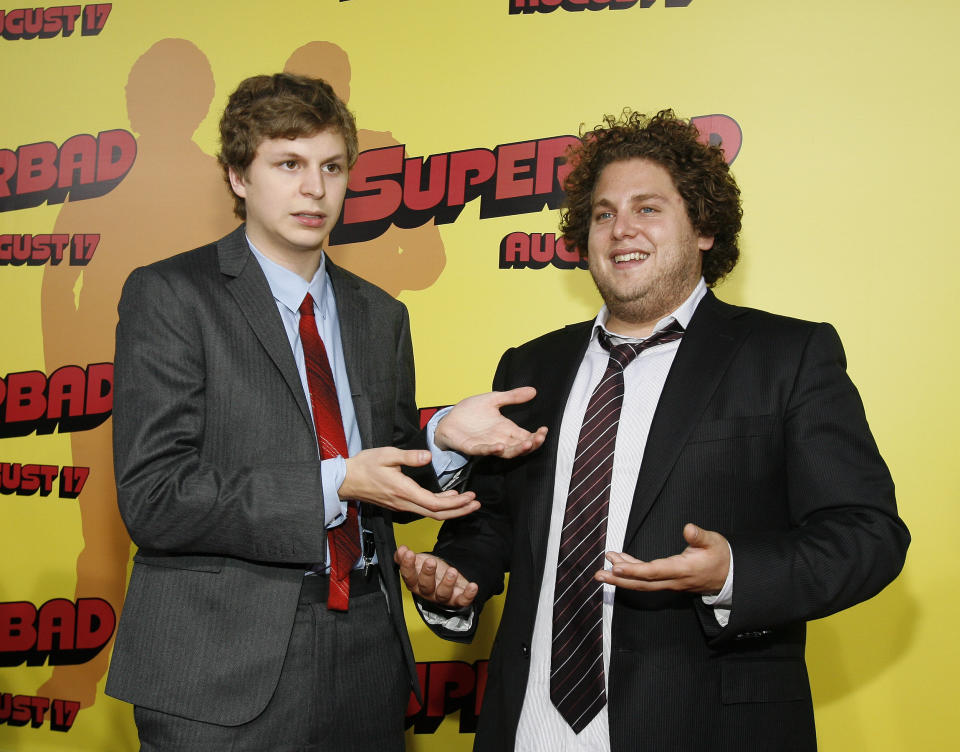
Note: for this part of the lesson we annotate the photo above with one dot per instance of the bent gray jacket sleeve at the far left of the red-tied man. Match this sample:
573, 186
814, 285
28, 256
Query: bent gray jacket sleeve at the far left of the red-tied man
172, 497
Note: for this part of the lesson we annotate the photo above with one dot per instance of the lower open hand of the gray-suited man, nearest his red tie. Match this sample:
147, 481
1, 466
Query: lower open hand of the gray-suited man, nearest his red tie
374, 476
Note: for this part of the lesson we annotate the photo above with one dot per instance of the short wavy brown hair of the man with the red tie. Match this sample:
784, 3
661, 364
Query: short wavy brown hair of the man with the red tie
283, 105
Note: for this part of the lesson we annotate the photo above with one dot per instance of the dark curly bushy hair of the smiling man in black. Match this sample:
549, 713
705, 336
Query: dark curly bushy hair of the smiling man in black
698, 170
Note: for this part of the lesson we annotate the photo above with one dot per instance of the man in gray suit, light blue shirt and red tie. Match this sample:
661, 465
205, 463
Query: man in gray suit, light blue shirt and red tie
261, 395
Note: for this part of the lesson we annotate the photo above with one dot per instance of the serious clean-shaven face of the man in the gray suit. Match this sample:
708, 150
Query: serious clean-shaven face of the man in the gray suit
294, 190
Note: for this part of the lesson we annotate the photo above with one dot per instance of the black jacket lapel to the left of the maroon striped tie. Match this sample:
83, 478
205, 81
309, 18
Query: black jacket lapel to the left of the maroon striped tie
553, 389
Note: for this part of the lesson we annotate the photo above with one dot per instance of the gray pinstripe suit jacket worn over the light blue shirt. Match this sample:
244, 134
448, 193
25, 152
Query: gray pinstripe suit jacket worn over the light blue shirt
218, 478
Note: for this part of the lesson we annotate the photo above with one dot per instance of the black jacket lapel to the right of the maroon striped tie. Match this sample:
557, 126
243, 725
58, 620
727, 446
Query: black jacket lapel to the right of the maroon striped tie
705, 352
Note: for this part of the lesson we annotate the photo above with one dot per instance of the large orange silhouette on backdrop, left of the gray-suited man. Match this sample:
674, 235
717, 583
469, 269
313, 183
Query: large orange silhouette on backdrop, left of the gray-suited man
173, 199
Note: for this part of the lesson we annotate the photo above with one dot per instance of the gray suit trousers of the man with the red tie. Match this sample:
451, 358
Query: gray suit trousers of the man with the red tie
343, 688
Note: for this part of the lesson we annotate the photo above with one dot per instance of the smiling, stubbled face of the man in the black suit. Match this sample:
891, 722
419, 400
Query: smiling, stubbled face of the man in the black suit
643, 252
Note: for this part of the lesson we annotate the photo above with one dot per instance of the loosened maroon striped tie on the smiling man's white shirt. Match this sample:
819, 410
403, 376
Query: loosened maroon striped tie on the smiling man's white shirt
577, 686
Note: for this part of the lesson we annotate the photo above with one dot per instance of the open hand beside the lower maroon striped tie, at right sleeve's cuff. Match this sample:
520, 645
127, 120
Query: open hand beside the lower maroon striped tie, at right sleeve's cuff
701, 568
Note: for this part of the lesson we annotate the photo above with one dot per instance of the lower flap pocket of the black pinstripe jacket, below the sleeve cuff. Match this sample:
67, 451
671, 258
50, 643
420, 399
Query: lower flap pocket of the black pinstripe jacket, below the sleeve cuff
783, 680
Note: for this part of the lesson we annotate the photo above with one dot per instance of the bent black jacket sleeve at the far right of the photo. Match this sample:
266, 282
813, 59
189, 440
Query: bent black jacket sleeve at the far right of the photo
846, 541
